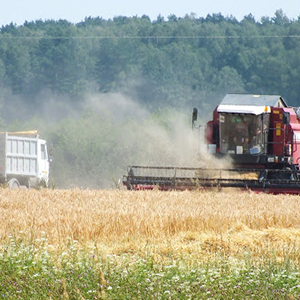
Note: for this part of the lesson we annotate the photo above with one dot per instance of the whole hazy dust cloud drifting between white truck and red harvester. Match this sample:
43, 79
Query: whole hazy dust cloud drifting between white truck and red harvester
94, 140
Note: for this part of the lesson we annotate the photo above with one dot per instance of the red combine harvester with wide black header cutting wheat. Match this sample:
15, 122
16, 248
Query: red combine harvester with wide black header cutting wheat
259, 134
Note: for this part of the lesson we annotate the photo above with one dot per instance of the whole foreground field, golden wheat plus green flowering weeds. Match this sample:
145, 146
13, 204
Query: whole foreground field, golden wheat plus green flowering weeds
96, 244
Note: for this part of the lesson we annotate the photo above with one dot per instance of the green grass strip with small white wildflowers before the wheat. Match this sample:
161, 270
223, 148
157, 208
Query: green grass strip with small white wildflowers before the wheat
35, 272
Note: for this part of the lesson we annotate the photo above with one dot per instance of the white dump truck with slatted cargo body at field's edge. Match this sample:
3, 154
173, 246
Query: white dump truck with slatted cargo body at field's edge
23, 159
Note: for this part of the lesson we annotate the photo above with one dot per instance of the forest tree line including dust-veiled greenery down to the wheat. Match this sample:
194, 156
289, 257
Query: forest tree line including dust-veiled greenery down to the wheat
165, 65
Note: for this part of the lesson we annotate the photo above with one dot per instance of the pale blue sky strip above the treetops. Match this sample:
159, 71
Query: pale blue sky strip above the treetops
19, 11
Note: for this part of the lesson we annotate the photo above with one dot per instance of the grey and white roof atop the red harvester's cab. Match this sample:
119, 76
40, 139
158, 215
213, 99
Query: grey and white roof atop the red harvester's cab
251, 104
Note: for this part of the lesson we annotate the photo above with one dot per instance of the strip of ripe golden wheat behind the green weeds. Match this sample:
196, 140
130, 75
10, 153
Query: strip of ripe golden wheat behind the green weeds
187, 223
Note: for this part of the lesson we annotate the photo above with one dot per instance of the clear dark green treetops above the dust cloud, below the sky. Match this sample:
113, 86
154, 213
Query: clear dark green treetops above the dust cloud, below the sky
156, 61
